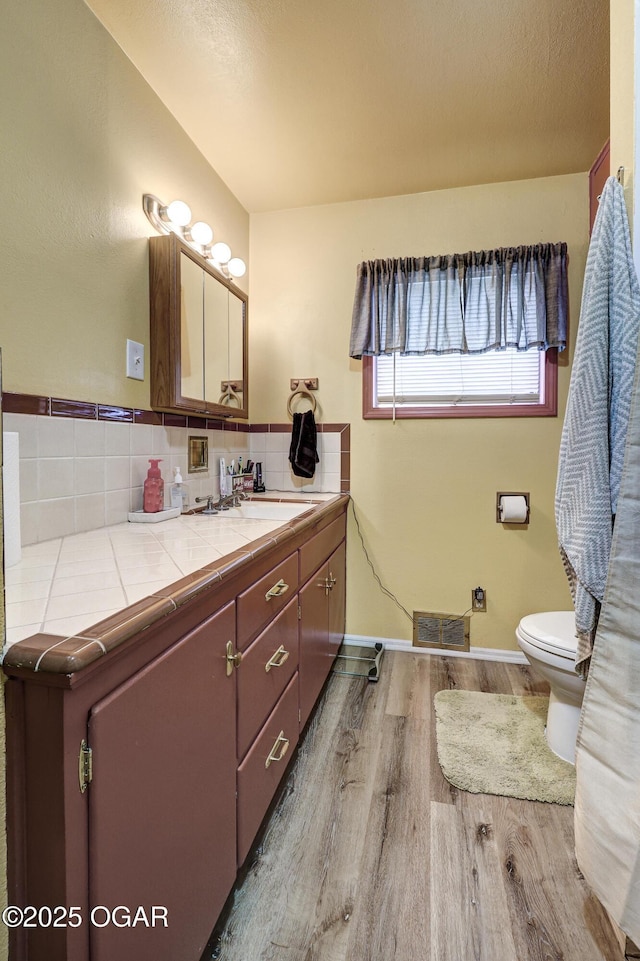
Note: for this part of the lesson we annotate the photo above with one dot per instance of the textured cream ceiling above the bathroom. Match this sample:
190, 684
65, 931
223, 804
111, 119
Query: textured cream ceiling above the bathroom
296, 103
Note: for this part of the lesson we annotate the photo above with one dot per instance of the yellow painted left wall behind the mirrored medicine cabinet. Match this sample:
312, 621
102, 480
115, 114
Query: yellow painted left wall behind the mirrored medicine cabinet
83, 138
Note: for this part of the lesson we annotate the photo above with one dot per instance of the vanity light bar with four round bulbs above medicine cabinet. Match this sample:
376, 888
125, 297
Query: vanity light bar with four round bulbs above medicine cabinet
176, 218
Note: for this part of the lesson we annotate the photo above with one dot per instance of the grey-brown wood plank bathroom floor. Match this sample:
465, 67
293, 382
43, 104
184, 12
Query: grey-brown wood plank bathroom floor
370, 855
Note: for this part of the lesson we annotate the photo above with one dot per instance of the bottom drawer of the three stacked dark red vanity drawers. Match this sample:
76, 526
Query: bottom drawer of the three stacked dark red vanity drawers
258, 777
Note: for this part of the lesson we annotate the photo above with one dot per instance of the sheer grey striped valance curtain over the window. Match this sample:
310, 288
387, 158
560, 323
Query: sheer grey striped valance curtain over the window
462, 303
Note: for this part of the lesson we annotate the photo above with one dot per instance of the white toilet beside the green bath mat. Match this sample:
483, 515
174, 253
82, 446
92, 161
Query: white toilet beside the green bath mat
548, 640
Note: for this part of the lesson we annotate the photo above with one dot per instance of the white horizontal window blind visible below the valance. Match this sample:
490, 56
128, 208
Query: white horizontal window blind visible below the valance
496, 377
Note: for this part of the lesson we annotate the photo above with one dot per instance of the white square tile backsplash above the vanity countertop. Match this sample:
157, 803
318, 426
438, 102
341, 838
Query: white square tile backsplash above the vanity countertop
79, 475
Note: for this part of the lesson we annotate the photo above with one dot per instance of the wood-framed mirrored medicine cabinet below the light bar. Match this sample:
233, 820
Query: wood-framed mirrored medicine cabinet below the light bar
199, 334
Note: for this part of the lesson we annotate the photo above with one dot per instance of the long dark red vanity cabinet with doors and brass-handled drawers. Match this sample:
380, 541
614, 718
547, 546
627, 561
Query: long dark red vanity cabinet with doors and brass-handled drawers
190, 723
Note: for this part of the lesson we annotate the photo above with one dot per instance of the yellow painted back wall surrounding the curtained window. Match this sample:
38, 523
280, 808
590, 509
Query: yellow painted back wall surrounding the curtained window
425, 491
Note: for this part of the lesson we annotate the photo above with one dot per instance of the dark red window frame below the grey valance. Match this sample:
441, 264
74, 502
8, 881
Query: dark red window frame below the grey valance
548, 407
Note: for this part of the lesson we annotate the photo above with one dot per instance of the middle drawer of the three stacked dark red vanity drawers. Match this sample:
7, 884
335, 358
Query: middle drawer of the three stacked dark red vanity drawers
267, 667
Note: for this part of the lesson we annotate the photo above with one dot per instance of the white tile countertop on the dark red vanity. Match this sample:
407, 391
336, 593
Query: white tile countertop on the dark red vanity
63, 587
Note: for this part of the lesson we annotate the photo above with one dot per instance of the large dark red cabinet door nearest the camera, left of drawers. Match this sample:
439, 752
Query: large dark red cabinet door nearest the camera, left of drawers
162, 804
